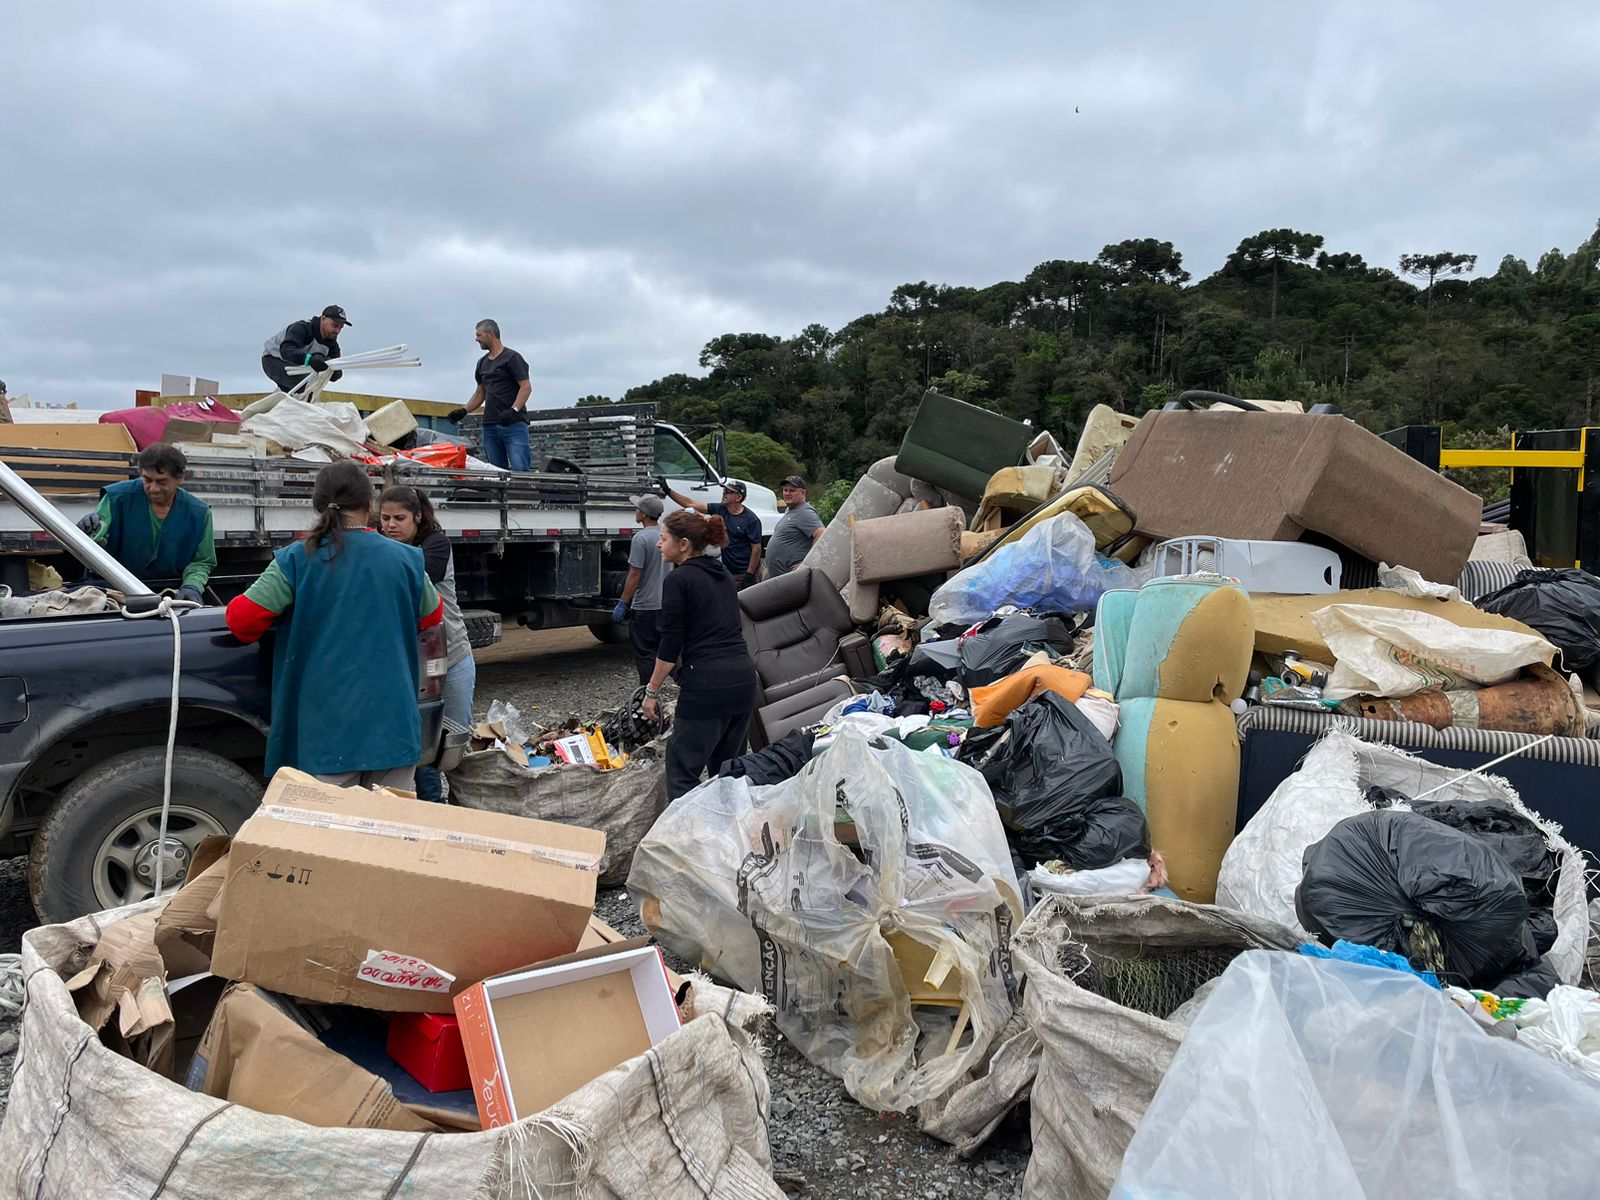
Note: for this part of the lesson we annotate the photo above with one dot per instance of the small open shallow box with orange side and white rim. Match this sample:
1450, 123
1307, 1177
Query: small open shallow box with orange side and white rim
540, 1034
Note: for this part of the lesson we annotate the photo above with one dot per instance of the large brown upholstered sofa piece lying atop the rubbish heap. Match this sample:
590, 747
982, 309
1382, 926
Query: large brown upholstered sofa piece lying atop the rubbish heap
1276, 478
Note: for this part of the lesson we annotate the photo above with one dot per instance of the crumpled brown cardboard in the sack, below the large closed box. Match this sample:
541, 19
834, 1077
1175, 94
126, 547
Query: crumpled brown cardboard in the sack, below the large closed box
258, 1054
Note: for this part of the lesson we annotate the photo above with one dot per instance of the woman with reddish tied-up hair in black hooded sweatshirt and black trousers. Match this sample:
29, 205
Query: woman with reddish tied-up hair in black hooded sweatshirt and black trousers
702, 634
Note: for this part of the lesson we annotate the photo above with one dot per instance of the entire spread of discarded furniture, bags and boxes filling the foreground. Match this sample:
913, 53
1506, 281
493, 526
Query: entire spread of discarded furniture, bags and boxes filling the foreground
1098, 783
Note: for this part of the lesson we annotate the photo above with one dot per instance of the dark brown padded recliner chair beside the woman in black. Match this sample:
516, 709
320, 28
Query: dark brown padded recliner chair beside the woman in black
802, 639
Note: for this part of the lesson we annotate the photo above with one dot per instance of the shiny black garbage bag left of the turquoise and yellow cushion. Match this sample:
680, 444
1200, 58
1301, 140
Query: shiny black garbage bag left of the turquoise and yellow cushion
1058, 788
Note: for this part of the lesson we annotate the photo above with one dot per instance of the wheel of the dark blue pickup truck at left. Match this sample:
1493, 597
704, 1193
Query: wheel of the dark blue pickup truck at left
100, 836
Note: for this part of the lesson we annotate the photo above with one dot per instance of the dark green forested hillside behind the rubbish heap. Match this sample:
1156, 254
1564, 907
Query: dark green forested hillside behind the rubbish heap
1433, 340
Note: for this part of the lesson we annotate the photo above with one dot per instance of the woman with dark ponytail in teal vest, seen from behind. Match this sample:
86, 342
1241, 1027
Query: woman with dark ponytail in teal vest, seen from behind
346, 606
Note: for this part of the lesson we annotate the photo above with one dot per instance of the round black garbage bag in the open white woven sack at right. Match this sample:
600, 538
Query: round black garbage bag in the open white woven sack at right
1441, 897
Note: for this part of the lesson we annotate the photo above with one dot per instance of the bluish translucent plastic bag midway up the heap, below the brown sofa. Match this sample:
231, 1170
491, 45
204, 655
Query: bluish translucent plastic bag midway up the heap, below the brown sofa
1050, 569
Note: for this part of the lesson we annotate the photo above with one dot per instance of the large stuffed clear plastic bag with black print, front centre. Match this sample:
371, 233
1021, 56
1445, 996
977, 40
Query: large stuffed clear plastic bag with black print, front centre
754, 886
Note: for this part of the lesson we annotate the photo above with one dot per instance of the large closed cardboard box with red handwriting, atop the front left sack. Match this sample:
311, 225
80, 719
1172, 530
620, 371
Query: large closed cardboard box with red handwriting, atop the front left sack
364, 898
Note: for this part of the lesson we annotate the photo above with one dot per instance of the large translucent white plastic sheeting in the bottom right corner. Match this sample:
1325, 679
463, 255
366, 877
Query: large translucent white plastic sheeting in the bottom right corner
1327, 1081
